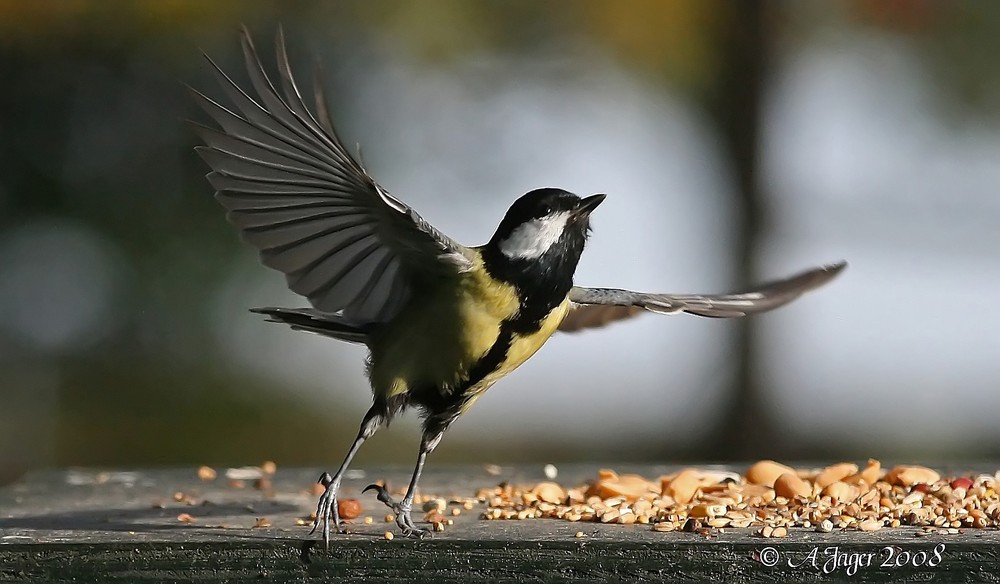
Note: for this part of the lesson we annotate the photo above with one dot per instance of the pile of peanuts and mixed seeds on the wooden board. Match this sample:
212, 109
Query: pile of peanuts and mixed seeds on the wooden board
770, 497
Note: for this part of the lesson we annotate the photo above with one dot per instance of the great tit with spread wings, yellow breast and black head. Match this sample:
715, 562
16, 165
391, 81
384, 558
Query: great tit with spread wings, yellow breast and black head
442, 322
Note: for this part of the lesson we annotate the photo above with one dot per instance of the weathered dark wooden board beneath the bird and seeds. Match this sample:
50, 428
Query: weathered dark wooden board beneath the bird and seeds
111, 526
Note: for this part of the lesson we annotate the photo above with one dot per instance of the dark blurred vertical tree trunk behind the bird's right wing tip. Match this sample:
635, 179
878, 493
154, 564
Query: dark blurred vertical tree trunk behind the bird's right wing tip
746, 429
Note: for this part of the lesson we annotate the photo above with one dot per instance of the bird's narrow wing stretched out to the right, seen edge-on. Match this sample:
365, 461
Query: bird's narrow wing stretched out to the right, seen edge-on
596, 307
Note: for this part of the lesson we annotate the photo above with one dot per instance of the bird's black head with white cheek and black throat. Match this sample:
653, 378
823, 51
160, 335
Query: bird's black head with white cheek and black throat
538, 246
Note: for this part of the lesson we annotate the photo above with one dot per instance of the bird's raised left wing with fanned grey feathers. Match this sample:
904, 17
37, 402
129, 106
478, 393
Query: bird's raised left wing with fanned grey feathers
299, 197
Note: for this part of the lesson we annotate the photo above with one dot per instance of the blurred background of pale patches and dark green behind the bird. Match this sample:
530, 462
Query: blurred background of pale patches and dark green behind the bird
124, 335
